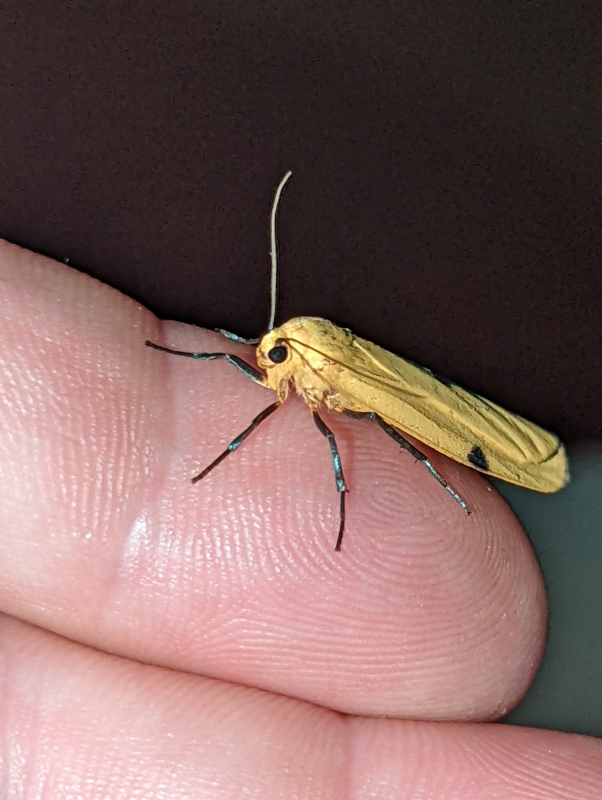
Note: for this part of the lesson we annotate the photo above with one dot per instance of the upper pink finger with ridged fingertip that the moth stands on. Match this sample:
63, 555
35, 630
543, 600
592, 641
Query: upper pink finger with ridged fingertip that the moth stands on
425, 613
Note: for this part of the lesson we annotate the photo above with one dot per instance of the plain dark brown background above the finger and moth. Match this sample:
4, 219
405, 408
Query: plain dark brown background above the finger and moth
446, 196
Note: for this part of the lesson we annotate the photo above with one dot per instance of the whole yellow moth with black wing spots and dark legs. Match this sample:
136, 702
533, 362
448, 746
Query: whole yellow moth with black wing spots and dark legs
330, 367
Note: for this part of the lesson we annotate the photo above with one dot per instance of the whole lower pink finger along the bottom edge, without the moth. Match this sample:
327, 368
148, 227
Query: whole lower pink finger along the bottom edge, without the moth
79, 723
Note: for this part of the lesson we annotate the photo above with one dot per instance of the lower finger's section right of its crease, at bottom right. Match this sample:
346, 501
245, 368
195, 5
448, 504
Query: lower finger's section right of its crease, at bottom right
473, 761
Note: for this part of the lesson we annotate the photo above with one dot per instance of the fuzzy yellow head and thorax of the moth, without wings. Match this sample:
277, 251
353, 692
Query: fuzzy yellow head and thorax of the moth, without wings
313, 345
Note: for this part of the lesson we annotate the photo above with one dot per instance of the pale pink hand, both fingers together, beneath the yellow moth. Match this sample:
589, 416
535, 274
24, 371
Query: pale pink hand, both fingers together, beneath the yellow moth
165, 640
